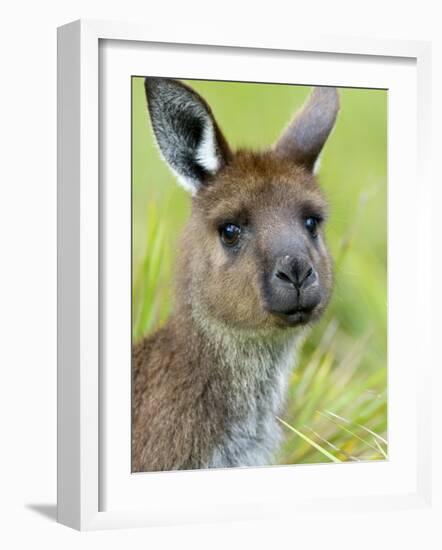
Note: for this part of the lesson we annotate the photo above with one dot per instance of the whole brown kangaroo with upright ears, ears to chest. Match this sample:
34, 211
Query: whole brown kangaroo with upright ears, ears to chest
253, 270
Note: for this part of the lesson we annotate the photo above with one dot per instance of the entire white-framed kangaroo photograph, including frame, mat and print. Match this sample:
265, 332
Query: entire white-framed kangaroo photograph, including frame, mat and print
234, 289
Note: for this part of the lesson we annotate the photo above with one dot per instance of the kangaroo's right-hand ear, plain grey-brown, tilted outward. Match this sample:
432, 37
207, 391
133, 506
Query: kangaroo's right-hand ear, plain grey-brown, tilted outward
304, 138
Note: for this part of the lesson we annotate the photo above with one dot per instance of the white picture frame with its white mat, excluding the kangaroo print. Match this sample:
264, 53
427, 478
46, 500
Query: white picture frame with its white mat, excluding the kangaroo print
85, 50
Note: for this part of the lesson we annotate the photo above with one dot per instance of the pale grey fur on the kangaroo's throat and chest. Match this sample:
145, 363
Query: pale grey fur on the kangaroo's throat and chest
259, 365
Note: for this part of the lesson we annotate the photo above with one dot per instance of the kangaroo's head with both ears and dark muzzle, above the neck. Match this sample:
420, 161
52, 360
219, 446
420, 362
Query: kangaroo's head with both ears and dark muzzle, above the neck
253, 251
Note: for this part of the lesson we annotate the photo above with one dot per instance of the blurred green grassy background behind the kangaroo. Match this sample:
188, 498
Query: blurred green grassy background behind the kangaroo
337, 403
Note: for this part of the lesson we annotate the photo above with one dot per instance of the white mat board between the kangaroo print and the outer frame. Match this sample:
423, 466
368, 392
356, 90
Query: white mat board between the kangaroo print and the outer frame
118, 62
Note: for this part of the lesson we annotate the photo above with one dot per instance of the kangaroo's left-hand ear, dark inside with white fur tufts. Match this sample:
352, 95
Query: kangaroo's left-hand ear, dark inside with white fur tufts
186, 132
